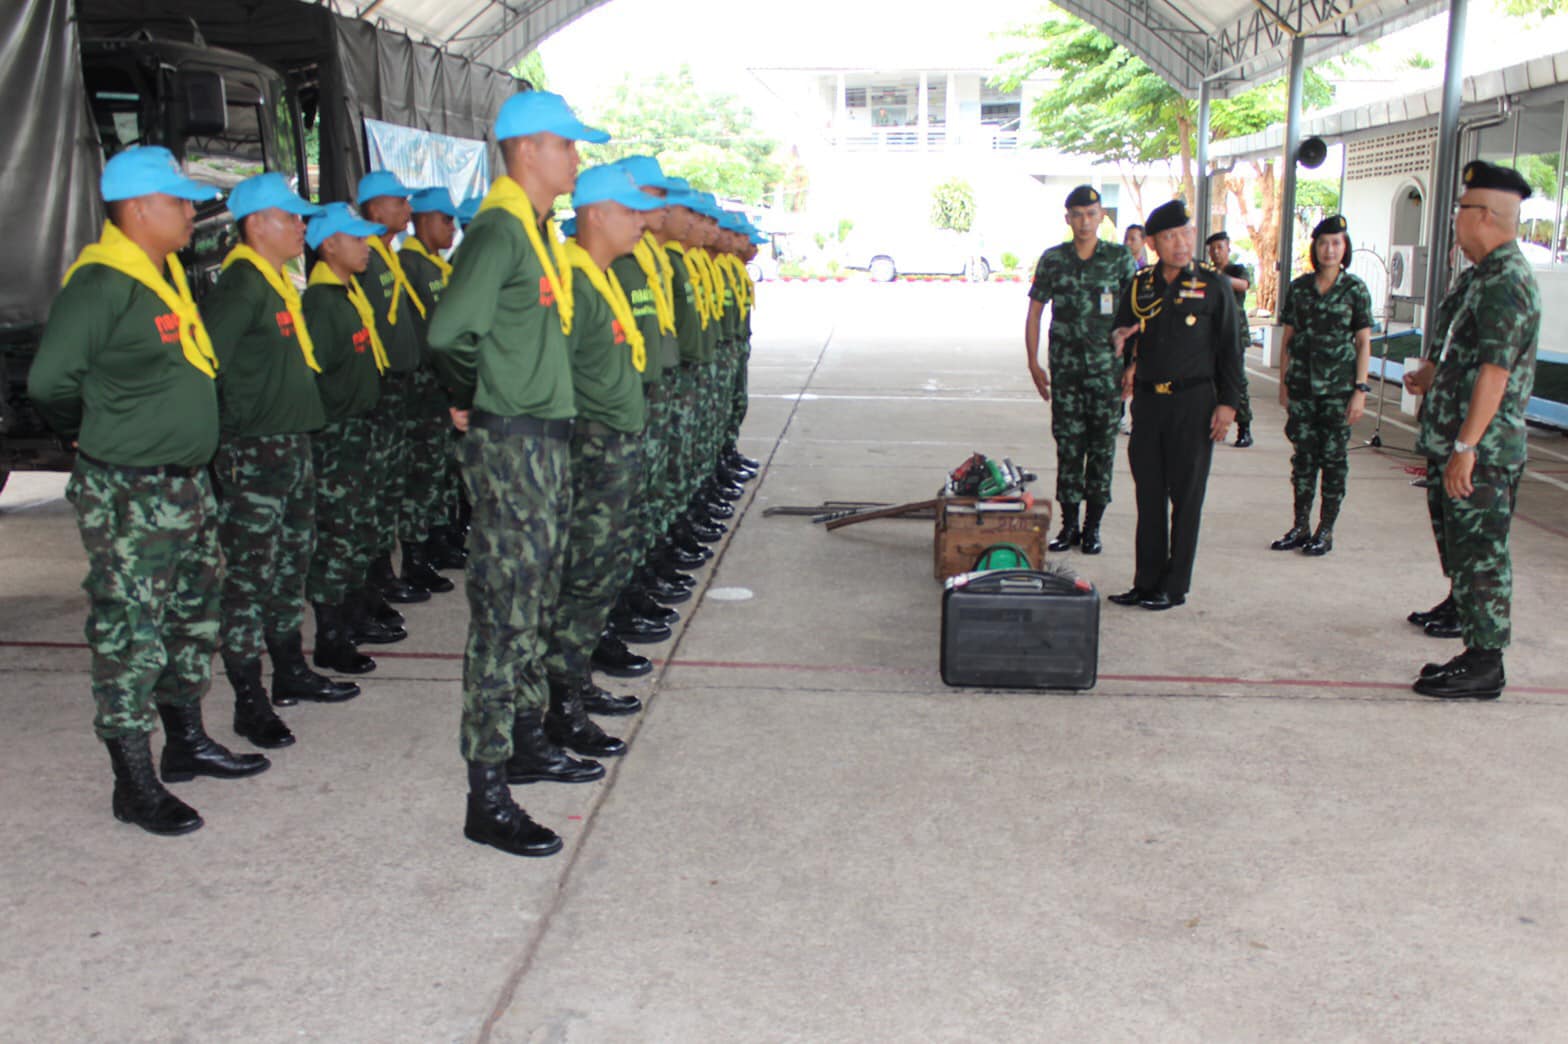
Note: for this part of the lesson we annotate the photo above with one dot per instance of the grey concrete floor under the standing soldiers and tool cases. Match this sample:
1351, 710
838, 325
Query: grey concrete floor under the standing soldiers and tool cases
1249, 830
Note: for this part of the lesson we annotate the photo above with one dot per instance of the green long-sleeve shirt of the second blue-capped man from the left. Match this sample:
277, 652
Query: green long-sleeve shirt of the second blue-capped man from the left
264, 382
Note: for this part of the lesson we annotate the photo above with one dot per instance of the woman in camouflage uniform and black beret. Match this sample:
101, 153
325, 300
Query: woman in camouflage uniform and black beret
1324, 358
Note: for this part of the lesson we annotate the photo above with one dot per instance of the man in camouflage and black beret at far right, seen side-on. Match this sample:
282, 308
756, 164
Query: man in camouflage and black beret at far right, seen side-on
1473, 426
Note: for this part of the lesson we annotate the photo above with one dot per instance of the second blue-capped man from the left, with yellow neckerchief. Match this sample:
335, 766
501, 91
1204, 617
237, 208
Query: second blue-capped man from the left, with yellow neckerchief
269, 407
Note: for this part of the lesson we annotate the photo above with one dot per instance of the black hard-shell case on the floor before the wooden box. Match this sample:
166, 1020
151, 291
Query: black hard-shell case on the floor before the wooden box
1020, 629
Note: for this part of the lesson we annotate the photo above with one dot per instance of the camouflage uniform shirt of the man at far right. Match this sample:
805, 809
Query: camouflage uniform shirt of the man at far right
1492, 316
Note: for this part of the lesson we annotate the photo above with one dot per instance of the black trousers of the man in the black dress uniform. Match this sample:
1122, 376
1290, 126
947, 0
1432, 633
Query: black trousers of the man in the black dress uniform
1171, 452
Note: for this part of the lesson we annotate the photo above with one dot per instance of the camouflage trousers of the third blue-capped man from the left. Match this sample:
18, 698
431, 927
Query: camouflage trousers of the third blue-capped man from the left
347, 510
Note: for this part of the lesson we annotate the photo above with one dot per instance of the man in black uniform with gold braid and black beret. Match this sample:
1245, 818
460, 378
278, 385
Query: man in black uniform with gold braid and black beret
1177, 324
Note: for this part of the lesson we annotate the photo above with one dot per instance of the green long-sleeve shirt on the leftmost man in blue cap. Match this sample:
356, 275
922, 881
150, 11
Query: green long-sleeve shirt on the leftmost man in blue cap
111, 372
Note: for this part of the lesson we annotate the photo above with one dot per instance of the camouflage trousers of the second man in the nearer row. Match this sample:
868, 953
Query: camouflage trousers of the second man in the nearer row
601, 540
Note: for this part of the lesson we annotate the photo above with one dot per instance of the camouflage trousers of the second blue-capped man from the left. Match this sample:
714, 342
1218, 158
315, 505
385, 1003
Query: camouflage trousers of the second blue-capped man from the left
267, 529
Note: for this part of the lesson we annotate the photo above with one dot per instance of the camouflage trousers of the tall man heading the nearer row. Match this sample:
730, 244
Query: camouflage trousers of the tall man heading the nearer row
521, 493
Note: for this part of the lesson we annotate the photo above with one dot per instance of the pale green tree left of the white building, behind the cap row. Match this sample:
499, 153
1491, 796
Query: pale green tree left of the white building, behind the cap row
710, 140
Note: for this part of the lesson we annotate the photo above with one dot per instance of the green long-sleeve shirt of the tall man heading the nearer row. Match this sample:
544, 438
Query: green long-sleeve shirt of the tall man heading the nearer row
496, 335
